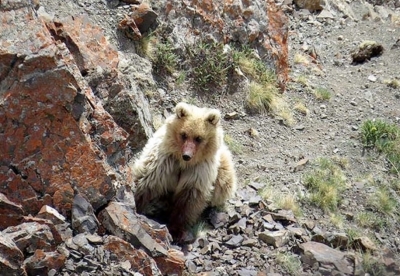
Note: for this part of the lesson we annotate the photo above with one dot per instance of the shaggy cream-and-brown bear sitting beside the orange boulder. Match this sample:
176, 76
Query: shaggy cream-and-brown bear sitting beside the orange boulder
186, 160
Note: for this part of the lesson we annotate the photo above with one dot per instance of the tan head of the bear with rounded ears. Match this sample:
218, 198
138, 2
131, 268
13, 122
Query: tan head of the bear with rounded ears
194, 134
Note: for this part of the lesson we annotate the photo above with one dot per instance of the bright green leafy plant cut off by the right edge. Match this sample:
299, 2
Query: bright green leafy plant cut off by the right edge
385, 138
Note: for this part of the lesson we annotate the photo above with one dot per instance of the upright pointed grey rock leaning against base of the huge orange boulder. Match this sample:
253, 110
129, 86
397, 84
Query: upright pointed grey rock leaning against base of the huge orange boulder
83, 217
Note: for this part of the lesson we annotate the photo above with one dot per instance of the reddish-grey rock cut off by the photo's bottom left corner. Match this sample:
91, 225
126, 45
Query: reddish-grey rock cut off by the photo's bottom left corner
11, 257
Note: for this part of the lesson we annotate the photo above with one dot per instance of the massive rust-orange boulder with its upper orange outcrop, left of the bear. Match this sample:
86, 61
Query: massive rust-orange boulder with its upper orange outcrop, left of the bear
54, 137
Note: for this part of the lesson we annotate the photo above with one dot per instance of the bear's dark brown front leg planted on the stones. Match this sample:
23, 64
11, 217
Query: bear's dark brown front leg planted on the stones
188, 206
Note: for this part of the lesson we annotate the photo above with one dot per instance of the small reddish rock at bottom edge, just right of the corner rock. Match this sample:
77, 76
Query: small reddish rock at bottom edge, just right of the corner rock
42, 262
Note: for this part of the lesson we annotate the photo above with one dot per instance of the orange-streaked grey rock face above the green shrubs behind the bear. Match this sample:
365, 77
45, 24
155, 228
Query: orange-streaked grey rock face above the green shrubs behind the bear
258, 23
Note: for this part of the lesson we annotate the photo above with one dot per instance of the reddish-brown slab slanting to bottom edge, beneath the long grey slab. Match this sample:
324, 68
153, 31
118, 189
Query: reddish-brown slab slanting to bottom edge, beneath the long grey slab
139, 260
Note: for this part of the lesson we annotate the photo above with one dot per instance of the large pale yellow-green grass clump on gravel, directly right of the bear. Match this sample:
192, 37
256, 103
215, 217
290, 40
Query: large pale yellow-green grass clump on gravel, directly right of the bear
326, 184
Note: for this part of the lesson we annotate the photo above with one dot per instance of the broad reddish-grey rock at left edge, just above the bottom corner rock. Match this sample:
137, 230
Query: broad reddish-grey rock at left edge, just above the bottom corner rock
30, 236
